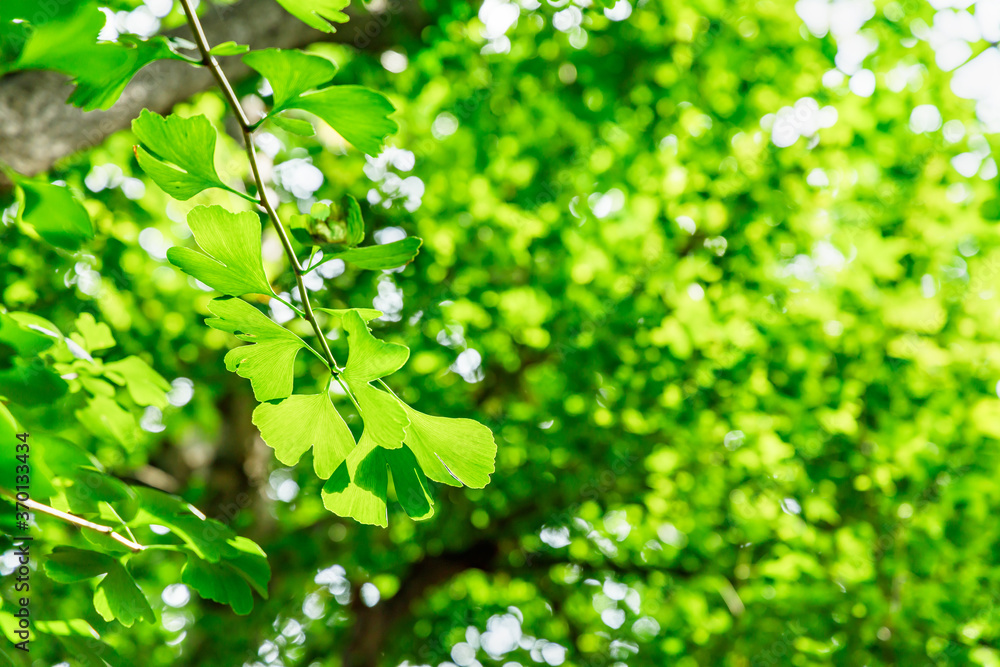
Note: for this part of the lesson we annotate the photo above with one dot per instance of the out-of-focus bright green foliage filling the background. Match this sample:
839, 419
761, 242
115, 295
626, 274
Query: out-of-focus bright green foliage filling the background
743, 381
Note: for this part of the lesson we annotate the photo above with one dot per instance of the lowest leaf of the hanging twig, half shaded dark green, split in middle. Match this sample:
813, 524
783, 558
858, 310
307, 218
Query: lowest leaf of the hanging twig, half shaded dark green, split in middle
359, 488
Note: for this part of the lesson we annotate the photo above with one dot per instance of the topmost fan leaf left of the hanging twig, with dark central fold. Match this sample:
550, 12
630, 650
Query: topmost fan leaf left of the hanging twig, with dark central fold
179, 153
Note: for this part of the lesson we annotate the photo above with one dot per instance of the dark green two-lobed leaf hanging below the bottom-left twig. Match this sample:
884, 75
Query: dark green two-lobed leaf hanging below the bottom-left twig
117, 596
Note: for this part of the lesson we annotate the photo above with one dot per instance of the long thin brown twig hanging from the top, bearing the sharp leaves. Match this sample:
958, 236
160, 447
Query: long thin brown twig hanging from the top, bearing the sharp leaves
209, 61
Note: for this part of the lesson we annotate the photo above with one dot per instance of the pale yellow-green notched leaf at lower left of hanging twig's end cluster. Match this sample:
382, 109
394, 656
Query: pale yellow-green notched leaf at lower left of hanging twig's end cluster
299, 422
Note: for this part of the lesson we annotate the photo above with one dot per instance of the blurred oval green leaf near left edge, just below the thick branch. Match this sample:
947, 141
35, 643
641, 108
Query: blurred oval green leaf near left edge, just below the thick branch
56, 215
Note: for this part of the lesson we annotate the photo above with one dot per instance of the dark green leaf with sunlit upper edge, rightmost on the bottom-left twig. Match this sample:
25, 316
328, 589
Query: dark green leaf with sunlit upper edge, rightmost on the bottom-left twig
229, 582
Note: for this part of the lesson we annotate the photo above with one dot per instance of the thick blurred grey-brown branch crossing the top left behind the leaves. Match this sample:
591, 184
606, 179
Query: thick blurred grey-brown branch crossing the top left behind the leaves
38, 128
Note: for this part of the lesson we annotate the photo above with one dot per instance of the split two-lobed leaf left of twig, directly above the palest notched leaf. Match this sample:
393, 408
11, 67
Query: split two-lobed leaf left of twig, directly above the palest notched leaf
269, 362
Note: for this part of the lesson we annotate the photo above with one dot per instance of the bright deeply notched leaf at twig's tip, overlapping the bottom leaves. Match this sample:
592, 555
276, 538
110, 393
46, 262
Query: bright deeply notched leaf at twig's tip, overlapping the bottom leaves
370, 359
